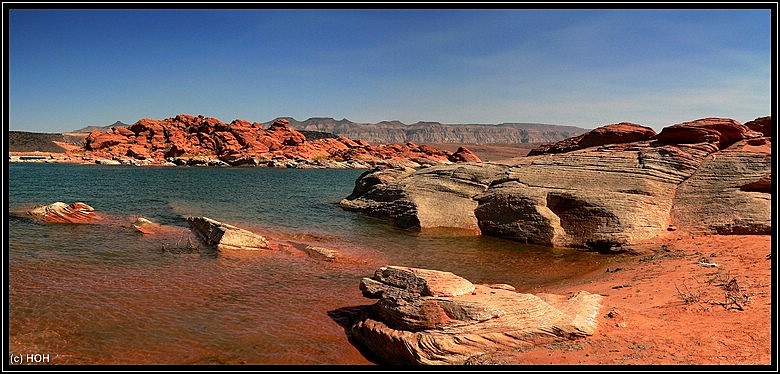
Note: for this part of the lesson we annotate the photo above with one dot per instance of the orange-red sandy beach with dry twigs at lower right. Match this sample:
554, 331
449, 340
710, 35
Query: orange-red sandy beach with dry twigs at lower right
676, 300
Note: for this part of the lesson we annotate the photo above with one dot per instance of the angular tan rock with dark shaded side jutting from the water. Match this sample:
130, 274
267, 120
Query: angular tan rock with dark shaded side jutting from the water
222, 236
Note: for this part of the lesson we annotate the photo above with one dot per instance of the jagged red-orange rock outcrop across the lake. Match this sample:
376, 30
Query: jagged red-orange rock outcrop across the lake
198, 140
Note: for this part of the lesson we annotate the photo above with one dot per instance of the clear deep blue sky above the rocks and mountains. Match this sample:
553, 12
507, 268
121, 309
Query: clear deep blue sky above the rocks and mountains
73, 68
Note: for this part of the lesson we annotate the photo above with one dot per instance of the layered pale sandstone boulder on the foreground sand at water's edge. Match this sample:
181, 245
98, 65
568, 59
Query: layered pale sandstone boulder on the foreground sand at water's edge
433, 317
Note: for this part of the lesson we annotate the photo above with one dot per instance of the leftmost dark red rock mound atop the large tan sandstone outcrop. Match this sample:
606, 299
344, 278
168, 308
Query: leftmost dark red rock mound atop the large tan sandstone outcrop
618, 133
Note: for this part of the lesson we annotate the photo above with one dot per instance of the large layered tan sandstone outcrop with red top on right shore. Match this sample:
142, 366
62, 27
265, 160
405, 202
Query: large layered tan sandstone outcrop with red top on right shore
605, 189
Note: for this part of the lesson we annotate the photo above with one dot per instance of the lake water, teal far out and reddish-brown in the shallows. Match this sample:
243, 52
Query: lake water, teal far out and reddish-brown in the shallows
104, 294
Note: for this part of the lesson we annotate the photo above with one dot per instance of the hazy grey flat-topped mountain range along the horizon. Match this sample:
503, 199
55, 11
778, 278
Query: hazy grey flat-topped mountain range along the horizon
421, 132
